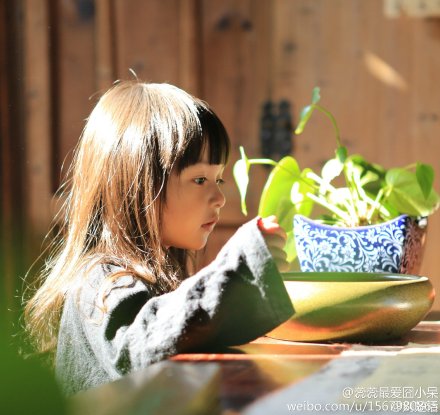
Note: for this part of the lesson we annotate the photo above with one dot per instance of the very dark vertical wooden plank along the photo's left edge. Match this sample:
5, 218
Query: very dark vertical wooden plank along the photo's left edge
14, 255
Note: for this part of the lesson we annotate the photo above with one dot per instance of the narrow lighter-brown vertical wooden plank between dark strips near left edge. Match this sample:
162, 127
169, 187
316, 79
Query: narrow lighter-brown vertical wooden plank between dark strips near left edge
37, 112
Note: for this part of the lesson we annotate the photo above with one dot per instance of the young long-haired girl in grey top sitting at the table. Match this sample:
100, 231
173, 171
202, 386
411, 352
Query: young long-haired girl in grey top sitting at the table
145, 190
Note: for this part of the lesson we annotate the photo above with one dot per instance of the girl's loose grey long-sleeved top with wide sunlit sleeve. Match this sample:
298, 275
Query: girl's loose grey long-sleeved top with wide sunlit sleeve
237, 298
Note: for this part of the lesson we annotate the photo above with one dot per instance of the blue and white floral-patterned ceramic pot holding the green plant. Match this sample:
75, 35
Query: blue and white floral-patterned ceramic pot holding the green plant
393, 246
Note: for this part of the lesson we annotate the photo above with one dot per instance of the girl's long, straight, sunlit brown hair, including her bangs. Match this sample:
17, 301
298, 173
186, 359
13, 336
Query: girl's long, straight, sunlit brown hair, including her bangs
136, 134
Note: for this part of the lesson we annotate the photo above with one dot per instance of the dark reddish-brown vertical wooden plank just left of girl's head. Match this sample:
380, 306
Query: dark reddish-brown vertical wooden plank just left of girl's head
75, 83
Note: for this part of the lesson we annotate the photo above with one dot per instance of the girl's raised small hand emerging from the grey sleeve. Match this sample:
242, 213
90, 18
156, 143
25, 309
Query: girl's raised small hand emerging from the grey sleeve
275, 238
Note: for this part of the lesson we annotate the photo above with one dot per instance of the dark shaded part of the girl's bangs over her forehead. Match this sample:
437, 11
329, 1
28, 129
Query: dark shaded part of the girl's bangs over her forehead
212, 135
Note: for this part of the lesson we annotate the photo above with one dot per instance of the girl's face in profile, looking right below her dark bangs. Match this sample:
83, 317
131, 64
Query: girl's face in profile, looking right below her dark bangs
192, 206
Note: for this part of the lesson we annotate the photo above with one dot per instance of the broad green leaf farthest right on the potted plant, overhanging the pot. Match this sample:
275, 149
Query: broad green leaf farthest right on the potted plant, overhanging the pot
406, 195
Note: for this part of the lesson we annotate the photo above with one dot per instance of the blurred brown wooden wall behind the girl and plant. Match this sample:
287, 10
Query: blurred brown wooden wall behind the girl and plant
376, 61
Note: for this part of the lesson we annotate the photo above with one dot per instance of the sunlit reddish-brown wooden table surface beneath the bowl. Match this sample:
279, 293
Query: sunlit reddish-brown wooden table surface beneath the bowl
248, 379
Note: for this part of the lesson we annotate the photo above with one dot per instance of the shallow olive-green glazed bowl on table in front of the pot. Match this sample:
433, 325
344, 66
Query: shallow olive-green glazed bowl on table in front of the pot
354, 307
